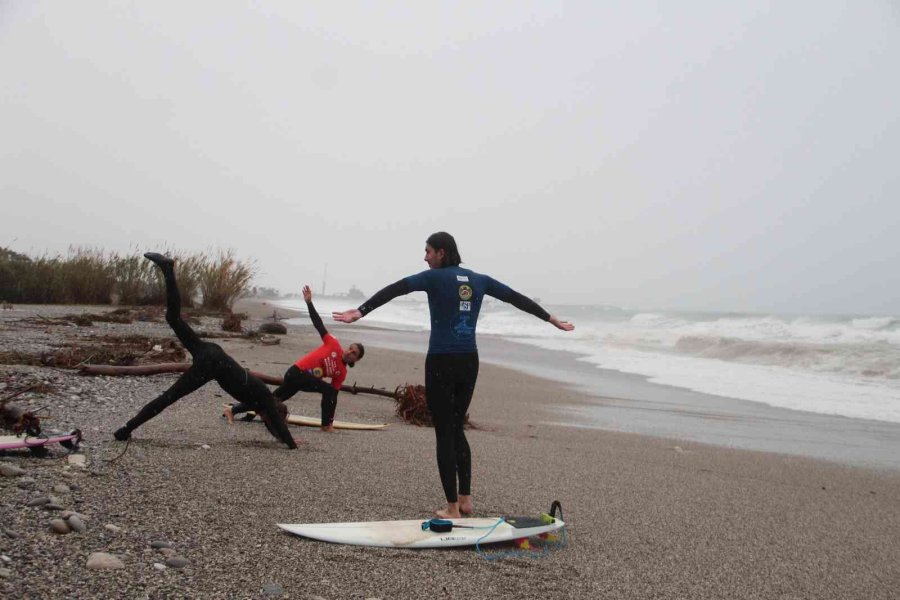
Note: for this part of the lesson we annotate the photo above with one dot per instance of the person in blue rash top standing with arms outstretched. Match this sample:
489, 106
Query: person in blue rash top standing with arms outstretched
451, 366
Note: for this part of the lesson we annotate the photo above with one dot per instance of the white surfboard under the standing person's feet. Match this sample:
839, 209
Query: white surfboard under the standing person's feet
409, 534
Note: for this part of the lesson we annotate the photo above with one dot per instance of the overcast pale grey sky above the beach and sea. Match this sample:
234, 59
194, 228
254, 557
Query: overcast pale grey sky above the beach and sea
704, 155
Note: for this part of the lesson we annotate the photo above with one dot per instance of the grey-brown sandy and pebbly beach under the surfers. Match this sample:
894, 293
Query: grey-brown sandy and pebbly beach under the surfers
648, 516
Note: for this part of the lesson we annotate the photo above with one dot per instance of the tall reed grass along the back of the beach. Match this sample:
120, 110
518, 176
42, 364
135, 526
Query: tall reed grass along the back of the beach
92, 276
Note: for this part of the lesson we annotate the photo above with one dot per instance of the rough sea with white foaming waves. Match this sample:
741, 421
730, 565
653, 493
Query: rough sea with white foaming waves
847, 365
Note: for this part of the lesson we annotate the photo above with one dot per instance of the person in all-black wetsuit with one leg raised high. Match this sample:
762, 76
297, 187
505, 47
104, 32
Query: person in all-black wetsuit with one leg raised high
210, 362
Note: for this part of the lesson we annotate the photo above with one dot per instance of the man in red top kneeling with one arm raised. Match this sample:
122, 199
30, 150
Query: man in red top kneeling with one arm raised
328, 360
